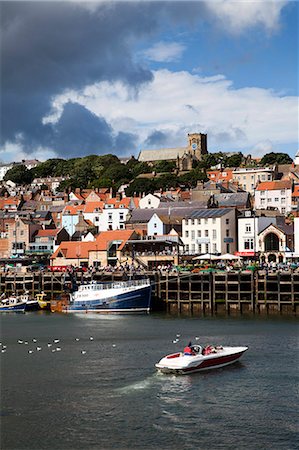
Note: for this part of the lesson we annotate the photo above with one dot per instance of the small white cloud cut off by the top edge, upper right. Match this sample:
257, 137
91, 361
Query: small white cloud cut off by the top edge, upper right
241, 15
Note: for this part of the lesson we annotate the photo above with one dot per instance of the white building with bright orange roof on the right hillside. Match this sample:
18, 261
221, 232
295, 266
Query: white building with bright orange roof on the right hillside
274, 194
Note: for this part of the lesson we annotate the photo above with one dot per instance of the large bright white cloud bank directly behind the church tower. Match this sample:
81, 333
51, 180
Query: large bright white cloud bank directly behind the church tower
180, 102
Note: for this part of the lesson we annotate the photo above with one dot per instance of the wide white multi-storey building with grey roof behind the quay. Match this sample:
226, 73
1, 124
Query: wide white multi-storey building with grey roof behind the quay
210, 231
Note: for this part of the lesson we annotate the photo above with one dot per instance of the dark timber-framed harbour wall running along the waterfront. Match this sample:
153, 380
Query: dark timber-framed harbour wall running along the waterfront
238, 292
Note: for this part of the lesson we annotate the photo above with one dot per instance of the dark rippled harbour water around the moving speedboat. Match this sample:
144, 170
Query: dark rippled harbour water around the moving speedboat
112, 397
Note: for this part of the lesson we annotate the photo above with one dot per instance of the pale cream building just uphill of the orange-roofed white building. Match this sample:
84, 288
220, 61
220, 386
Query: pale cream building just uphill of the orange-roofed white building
248, 178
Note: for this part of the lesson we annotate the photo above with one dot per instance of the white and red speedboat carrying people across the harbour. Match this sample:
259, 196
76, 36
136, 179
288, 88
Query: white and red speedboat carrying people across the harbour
201, 359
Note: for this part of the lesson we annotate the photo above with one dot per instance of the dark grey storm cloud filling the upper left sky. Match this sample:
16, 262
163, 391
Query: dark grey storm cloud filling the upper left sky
48, 47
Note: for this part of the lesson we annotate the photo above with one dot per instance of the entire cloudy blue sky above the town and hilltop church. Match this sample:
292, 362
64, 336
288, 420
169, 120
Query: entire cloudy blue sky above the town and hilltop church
81, 78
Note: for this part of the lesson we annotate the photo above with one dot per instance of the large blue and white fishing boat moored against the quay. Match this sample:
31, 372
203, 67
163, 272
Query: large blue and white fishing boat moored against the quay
132, 296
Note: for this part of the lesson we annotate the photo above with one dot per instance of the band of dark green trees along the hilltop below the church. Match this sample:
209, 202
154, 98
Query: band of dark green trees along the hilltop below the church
97, 171
